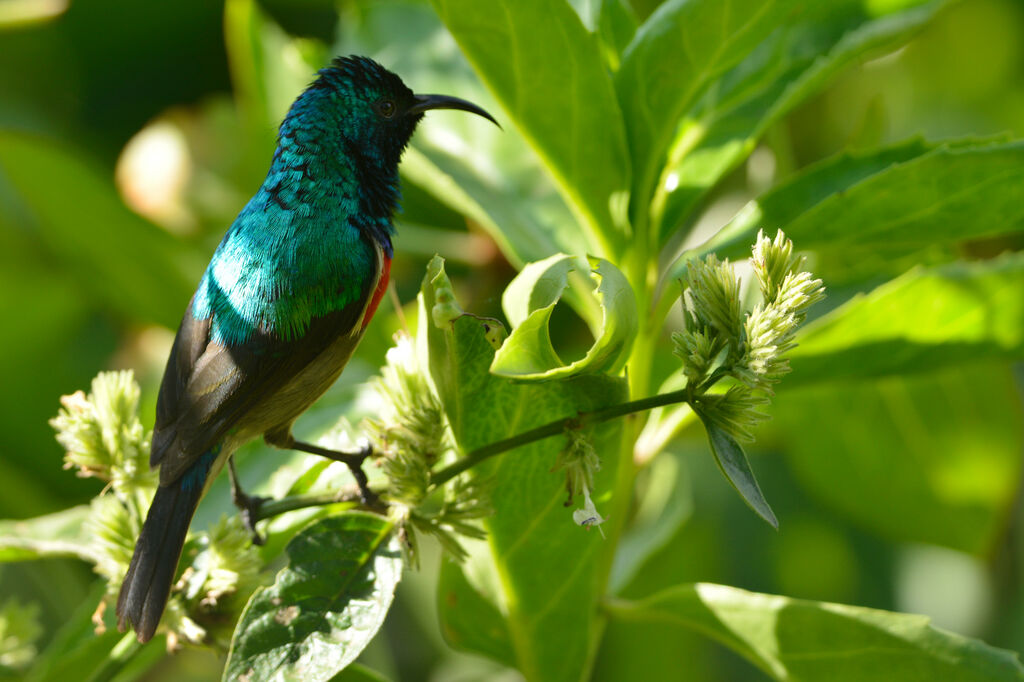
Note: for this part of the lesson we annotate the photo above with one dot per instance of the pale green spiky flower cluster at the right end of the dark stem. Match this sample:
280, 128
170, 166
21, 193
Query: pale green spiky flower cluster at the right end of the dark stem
721, 340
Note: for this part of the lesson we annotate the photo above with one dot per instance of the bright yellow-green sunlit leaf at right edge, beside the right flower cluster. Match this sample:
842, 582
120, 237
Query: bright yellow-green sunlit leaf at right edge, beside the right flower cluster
925, 320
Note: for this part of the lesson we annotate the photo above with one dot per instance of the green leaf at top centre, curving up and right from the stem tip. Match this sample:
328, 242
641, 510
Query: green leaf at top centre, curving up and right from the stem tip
675, 57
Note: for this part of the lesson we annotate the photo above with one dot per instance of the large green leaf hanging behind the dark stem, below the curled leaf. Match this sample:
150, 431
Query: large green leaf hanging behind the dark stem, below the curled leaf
550, 572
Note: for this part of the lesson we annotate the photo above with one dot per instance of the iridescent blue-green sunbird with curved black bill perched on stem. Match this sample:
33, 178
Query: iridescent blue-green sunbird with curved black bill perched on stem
281, 308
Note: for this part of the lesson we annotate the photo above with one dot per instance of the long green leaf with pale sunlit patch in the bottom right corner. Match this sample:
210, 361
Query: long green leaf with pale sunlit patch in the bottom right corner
796, 640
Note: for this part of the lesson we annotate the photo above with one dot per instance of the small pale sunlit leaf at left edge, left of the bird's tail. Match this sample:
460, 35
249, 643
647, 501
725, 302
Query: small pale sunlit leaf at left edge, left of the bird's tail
61, 534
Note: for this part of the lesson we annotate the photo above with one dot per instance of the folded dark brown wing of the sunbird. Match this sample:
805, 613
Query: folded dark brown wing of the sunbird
209, 388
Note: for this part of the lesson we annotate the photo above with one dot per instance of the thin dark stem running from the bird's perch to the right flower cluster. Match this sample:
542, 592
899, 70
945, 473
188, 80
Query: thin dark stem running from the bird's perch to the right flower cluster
554, 429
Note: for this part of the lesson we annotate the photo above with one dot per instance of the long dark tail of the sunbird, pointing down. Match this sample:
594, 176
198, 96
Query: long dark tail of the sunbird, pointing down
148, 583
